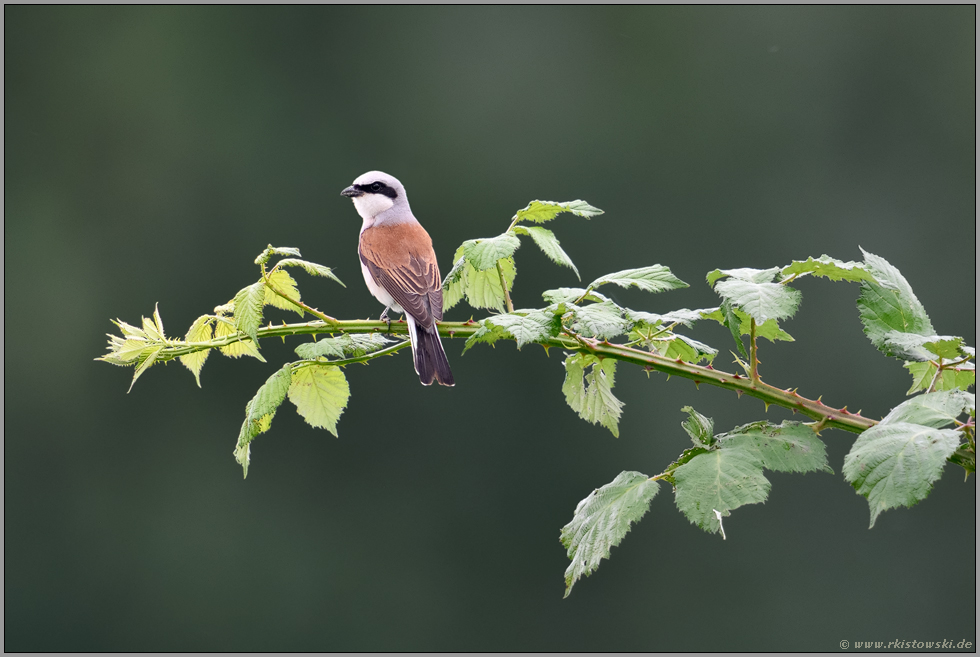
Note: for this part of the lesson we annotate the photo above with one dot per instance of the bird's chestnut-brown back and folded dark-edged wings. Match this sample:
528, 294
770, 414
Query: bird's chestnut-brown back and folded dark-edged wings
401, 260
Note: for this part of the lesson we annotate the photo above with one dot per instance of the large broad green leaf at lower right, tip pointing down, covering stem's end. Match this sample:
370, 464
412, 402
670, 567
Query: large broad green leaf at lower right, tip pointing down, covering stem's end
895, 464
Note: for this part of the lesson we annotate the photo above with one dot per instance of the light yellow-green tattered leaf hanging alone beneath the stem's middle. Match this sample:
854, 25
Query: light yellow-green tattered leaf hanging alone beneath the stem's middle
590, 395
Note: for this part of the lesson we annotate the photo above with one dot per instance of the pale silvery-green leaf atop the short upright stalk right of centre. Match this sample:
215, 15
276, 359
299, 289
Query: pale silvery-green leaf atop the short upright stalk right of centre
751, 291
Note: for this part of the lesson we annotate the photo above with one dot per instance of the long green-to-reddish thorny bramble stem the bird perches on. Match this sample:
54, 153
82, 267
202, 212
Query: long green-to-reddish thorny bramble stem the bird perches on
814, 409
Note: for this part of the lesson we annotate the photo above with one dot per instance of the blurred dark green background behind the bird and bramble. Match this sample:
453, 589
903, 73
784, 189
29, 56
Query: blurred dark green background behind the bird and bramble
151, 153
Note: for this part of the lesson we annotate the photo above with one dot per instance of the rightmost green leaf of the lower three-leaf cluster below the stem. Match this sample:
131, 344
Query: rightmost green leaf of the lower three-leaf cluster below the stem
786, 447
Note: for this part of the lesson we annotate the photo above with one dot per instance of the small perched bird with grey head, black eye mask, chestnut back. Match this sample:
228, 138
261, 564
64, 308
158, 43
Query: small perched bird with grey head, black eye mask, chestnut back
400, 268
